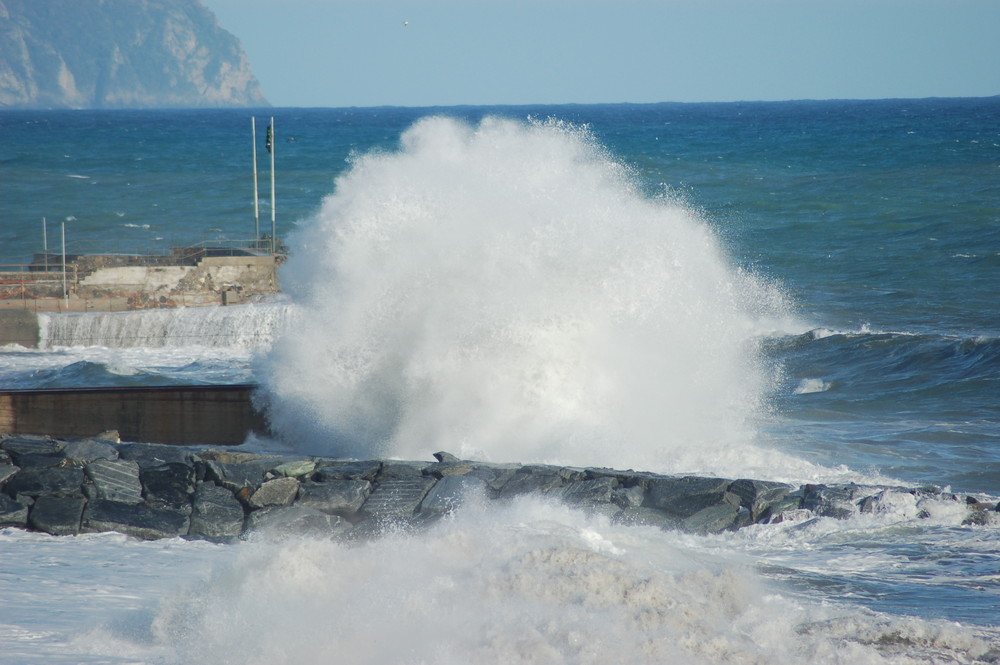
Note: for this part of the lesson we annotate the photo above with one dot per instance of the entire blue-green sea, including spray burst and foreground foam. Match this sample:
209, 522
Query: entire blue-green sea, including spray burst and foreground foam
805, 292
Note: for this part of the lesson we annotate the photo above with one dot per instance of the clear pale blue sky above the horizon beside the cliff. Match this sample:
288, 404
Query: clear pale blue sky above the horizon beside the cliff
337, 53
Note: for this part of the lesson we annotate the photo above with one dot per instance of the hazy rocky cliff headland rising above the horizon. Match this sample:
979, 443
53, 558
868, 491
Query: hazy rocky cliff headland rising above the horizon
120, 54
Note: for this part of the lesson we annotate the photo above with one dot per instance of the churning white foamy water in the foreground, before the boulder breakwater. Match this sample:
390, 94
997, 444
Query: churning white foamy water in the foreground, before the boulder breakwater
523, 583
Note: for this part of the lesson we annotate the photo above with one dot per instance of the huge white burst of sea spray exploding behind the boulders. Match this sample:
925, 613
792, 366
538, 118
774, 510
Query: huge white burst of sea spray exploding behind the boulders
505, 291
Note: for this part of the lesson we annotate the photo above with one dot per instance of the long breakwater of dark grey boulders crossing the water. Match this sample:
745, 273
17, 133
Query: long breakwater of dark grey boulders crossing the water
149, 491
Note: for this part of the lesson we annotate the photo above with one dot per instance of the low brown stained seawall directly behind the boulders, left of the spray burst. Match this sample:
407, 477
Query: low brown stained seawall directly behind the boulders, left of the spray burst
216, 415
